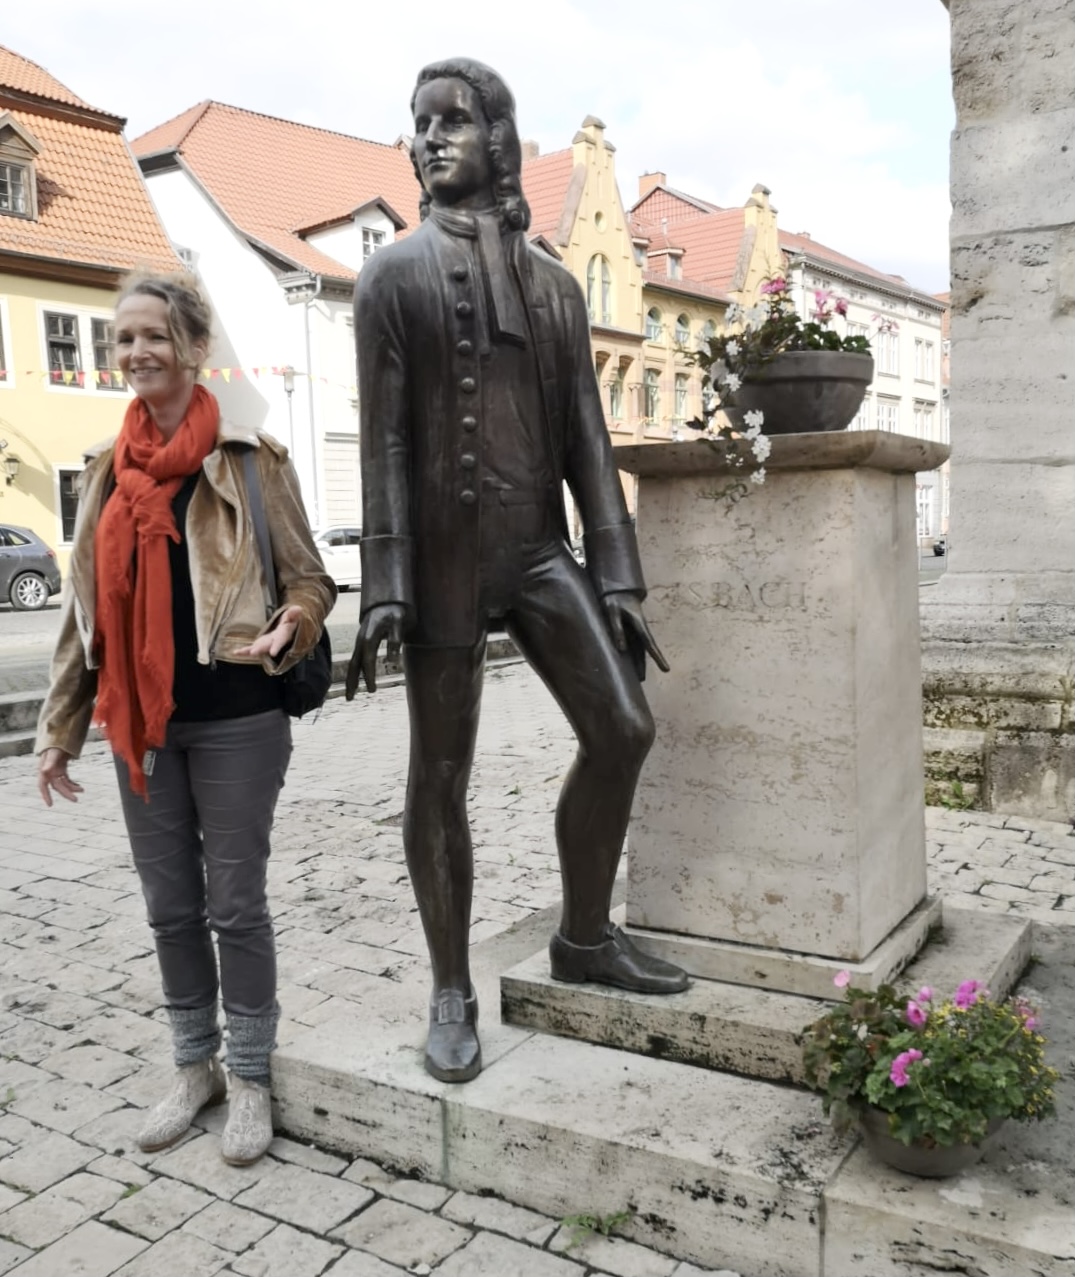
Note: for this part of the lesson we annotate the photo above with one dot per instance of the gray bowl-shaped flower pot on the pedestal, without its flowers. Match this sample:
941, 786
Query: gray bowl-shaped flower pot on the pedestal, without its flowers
806, 390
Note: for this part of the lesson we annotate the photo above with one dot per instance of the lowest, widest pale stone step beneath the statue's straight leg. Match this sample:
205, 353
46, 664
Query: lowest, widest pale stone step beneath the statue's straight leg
718, 1170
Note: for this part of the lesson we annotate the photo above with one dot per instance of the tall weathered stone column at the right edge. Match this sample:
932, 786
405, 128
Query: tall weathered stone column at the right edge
999, 631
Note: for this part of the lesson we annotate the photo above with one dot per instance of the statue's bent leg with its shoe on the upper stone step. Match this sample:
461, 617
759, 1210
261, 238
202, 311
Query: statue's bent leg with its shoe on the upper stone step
559, 625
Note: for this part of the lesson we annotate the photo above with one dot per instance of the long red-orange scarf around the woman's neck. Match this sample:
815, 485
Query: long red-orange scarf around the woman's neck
135, 640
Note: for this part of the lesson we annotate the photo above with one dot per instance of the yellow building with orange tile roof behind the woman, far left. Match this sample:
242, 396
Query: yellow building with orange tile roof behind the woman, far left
75, 218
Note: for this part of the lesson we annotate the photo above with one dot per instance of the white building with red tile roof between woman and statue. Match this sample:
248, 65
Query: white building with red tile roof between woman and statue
276, 219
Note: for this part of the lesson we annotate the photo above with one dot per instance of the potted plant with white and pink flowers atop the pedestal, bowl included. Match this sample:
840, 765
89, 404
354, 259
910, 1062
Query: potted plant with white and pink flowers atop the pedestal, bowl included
801, 376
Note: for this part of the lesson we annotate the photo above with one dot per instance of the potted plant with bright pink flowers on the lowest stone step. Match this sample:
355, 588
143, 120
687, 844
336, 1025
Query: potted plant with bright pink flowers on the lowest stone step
929, 1080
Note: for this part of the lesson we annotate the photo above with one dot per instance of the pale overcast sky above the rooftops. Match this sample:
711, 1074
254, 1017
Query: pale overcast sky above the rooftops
842, 108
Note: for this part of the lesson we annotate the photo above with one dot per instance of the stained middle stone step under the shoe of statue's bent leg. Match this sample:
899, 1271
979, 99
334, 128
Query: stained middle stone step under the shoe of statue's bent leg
749, 1031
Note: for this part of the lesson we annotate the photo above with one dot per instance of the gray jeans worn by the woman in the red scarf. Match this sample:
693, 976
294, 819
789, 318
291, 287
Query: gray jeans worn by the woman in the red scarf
201, 847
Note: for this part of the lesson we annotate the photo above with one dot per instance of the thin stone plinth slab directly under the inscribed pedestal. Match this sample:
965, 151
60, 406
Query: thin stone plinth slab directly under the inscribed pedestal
783, 972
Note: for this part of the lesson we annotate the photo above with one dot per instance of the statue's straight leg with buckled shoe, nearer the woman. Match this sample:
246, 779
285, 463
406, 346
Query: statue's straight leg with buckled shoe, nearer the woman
445, 699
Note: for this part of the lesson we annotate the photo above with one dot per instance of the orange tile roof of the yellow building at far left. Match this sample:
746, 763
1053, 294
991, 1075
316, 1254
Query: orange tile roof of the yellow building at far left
93, 205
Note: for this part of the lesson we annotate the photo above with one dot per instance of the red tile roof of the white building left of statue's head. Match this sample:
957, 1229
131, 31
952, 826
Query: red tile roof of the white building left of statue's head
270, 177
